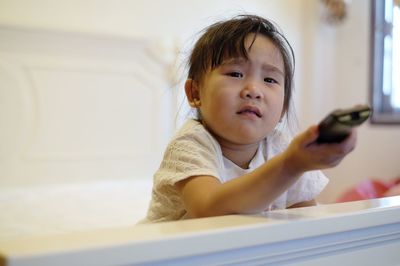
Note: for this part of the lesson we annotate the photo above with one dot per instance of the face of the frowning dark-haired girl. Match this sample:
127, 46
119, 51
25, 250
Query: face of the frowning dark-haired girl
241, 101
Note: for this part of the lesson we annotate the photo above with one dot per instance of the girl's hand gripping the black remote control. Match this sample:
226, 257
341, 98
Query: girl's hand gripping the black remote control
305, 154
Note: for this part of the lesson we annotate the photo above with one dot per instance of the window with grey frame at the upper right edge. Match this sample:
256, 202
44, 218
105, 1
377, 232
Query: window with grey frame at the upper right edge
385, 67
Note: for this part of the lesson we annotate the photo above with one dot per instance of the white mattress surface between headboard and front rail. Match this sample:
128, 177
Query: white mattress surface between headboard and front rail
65, 208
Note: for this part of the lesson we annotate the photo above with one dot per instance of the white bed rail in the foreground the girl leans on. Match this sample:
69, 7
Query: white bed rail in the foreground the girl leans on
355, 233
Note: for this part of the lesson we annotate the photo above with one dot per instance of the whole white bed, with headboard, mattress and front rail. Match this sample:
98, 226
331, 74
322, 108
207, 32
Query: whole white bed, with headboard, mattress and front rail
84, 125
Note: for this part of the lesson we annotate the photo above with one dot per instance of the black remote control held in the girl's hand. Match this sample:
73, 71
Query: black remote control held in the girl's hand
337, 125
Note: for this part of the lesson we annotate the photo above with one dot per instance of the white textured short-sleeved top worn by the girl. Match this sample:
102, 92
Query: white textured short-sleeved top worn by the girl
194, 151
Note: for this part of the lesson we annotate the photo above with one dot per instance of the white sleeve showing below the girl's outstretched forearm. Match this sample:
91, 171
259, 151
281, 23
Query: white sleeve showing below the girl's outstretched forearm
307, 187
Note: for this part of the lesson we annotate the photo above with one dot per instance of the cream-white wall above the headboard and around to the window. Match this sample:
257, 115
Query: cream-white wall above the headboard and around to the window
332, 61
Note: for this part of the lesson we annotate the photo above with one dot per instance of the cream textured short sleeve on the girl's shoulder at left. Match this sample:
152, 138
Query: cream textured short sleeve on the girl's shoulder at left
186, 156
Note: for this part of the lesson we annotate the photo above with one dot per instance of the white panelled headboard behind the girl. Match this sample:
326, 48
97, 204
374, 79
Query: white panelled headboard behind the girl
82, 107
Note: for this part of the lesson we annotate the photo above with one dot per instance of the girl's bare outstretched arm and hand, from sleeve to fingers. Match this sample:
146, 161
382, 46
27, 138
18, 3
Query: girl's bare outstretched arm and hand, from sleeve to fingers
205, 196
